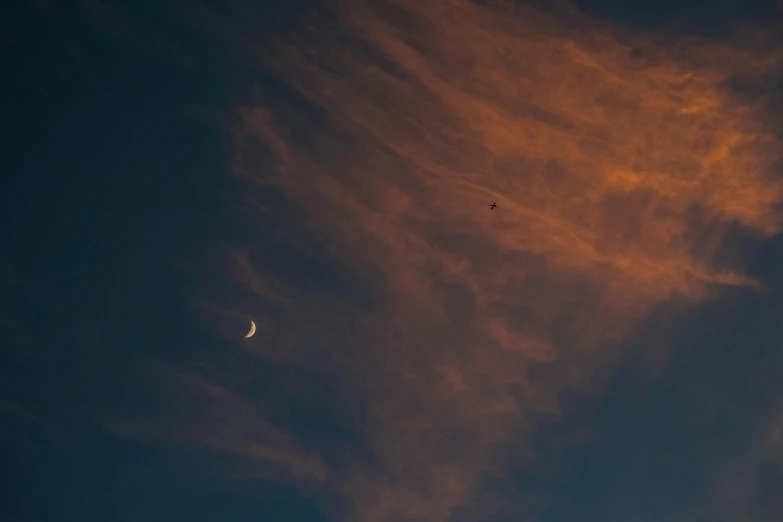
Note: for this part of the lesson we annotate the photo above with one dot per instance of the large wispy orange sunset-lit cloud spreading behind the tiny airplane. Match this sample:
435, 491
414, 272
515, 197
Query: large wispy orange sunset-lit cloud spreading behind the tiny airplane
620, 163
